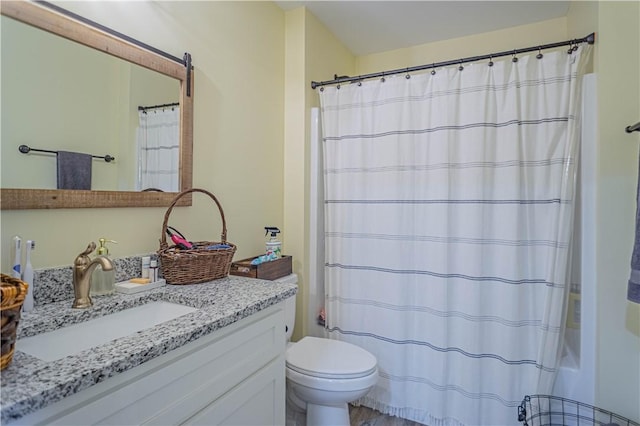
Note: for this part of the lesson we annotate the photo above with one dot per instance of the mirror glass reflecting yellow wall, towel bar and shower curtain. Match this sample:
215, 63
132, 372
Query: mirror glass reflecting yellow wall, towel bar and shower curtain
58, 95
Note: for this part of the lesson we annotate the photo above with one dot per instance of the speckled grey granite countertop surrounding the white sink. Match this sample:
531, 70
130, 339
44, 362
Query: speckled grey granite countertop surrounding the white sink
29, 383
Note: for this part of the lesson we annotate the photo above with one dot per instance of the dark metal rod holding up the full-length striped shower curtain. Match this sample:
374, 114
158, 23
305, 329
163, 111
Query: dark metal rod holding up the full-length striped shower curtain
588, 39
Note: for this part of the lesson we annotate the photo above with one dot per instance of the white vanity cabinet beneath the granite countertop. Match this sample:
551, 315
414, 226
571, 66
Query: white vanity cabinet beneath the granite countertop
233, 376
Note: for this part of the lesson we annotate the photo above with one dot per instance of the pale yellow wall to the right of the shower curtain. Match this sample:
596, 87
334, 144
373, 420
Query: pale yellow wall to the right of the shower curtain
617, 64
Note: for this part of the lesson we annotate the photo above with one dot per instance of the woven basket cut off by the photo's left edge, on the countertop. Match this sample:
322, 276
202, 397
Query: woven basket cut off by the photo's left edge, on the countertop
12, 296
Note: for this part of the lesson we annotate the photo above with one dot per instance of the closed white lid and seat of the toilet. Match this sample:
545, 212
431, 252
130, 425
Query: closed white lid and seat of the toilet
330, 359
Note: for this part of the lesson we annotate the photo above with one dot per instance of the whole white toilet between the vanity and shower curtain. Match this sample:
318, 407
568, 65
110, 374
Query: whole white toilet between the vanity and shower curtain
323, 375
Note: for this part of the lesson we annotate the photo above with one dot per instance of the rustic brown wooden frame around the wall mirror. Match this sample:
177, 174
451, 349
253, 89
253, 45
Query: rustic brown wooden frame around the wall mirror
62, 25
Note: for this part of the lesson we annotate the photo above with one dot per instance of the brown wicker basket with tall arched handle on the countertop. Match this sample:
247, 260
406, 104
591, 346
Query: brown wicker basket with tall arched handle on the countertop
199, 264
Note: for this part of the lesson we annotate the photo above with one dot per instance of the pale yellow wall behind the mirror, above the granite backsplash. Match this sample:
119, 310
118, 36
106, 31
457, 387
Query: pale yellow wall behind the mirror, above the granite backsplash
238, 55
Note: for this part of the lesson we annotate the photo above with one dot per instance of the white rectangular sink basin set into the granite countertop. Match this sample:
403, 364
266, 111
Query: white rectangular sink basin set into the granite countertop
78, 337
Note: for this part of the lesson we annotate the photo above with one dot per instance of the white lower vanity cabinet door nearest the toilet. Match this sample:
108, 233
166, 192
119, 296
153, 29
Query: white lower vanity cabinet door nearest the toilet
258, 401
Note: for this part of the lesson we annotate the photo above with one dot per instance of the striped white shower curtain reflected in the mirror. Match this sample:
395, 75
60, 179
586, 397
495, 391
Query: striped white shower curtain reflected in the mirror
159, 149
